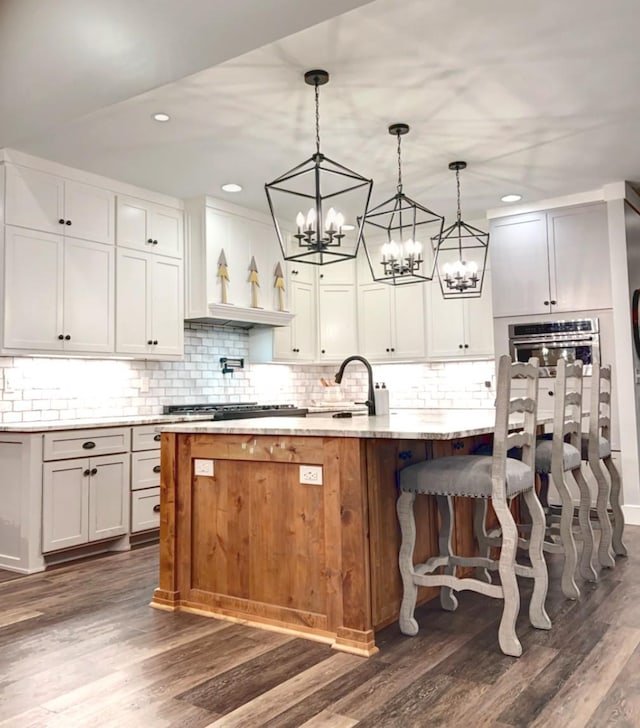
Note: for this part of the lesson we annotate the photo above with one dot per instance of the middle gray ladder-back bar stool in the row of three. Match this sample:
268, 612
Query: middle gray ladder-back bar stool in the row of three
561, 459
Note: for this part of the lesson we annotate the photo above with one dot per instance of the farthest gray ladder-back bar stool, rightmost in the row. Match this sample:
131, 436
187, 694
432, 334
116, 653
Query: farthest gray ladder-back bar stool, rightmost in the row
596, 450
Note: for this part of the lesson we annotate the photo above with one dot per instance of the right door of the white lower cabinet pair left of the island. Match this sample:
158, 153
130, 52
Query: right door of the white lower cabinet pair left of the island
108, 510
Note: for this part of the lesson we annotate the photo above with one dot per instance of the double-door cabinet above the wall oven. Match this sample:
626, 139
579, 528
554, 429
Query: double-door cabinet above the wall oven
551, 261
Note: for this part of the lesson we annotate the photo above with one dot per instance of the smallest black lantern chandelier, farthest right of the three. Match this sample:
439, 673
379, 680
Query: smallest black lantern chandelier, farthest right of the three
462, 254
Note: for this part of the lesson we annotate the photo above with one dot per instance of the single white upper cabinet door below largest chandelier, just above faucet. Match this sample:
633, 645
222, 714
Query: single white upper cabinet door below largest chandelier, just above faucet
337, 321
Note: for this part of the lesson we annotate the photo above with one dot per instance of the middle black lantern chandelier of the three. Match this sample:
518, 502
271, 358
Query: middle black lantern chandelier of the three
398, 233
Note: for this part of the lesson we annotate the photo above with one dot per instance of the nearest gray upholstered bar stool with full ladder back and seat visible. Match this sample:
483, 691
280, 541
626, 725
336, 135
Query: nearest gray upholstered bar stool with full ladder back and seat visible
481, 476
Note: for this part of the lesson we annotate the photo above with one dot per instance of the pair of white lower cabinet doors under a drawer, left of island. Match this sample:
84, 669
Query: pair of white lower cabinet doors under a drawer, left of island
84, 500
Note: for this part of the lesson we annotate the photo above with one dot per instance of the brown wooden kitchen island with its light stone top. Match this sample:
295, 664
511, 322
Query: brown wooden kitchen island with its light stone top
251, 543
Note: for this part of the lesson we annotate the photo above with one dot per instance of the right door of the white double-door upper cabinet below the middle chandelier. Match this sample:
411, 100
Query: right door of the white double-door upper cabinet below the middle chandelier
409, 340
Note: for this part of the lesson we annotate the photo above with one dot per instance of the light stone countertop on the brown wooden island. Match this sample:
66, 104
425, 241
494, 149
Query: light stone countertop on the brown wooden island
429, 424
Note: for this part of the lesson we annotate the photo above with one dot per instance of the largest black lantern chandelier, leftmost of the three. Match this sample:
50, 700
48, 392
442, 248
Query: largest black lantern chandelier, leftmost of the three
316, 204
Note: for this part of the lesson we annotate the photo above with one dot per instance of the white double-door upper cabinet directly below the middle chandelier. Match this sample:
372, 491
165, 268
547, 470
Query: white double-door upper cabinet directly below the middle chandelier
391, 319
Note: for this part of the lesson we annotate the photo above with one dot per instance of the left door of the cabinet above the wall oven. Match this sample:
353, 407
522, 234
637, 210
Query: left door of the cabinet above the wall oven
520, 265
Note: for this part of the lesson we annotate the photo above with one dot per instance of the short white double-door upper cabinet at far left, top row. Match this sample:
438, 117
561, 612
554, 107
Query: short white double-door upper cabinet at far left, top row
46, 202
